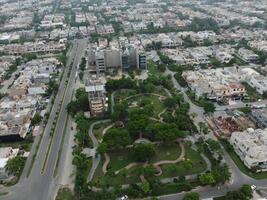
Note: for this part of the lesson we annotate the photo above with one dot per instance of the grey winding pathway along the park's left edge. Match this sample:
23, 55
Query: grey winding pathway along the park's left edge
96, 157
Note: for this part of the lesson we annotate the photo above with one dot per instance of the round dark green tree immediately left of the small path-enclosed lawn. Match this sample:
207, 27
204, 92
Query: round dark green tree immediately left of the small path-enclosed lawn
143, 152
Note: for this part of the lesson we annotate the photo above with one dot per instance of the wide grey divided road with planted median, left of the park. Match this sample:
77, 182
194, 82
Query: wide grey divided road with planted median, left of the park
42, 182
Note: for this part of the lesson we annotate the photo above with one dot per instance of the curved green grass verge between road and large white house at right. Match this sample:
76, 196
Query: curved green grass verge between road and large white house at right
239, 163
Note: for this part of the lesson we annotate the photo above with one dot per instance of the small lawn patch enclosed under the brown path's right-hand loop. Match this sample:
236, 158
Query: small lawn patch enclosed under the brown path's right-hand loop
166, 152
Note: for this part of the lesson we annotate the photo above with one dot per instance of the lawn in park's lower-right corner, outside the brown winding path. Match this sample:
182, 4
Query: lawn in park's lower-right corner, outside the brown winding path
198, 165
